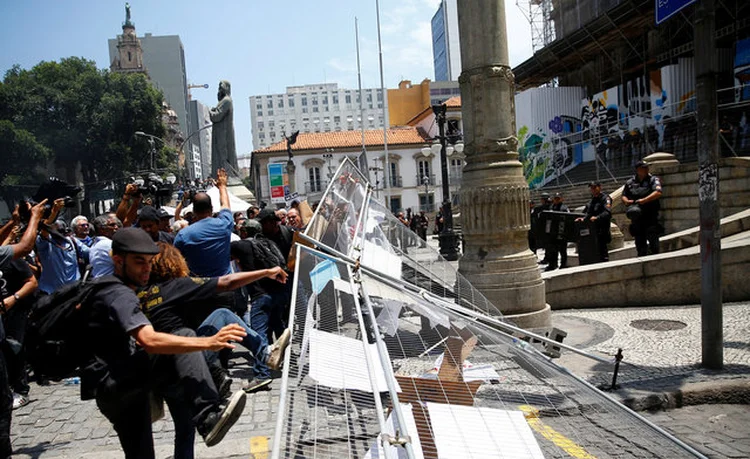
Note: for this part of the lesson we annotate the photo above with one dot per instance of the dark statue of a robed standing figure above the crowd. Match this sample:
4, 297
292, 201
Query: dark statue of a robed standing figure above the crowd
223, 151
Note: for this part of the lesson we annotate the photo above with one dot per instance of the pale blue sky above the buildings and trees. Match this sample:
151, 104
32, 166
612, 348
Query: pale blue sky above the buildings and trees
259, 46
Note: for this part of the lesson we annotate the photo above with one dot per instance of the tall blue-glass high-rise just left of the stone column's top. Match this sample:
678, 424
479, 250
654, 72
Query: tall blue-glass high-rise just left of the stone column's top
446, 51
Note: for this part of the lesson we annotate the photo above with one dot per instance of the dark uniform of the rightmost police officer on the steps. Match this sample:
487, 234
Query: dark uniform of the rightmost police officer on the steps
645, 228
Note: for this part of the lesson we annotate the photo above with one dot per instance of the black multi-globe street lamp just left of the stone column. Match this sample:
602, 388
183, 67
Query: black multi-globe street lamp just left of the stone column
448, 239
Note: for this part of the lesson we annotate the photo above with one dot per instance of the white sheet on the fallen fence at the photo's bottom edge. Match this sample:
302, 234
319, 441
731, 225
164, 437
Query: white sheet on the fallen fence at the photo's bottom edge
481, 433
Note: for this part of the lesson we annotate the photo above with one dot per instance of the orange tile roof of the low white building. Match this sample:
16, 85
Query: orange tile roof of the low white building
344, 139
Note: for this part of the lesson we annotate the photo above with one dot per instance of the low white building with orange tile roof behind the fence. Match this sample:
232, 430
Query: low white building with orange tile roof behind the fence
415, 174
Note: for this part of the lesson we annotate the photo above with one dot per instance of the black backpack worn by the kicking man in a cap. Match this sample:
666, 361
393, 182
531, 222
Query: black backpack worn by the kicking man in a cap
56, 342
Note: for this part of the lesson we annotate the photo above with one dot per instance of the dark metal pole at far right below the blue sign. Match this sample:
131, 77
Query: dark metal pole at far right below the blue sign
708, 185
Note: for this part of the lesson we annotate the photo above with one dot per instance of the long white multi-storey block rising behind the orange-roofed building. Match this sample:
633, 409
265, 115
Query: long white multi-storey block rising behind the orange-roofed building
313, 108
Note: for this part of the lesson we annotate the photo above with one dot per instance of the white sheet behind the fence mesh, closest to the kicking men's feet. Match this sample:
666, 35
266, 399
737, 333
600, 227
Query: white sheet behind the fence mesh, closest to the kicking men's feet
339, 362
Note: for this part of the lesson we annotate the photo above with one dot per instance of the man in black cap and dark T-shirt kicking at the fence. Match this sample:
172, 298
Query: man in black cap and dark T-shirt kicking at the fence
120, 375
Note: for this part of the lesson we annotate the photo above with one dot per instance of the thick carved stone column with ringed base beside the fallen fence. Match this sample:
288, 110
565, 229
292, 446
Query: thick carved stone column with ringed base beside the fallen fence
494, 193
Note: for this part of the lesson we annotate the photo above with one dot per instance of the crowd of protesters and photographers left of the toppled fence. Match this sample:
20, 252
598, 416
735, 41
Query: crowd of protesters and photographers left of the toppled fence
163, 288
